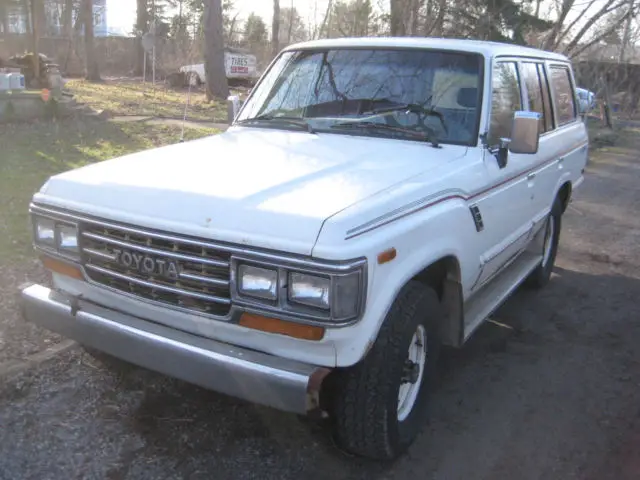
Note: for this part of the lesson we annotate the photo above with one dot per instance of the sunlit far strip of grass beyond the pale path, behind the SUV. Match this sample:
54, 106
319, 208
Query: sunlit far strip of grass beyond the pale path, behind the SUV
131, 97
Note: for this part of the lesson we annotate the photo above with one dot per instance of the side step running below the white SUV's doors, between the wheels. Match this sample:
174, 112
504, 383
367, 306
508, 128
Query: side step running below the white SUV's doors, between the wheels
493, 294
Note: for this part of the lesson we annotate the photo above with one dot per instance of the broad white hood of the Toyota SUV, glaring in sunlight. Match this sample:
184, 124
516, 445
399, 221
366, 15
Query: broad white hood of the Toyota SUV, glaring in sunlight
264, 188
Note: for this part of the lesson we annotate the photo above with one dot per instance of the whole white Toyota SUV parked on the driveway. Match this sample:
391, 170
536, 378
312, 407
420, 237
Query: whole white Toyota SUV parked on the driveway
374, 199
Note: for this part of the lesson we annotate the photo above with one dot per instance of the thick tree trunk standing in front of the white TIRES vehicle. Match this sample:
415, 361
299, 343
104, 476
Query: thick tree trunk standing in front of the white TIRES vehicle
217, 84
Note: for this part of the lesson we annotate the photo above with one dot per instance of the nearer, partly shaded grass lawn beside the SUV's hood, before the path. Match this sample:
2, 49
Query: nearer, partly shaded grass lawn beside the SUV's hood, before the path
32, 152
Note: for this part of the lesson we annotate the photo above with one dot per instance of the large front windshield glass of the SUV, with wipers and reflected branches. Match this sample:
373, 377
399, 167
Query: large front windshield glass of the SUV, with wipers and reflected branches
421, 91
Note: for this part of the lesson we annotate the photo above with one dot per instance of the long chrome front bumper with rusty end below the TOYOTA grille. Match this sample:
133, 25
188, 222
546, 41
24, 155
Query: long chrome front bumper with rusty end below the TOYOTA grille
254, 376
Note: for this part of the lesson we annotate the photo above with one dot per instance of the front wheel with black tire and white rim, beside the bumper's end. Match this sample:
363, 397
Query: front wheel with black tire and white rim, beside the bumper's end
379, 405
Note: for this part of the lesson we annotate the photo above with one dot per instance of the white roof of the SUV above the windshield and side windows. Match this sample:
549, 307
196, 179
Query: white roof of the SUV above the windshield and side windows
488, 49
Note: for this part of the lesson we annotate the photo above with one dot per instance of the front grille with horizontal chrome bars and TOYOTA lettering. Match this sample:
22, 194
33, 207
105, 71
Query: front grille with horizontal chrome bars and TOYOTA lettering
162, 268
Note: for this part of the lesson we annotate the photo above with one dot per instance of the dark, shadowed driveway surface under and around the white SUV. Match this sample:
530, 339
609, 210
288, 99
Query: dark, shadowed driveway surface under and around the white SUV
549, 391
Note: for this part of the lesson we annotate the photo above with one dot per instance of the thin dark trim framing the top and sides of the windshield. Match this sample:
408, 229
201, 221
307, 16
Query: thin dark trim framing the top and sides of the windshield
481, 79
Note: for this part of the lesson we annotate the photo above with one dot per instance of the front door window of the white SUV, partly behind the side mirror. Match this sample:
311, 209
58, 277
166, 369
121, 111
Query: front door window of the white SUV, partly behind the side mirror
506, 99
